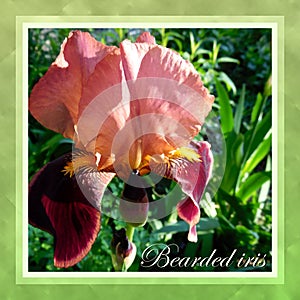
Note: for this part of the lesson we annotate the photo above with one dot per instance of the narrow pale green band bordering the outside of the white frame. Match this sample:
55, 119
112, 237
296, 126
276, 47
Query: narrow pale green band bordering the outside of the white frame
155, 22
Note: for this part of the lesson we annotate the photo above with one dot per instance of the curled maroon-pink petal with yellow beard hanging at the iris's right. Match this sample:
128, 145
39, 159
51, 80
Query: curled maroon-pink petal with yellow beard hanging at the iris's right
192, 174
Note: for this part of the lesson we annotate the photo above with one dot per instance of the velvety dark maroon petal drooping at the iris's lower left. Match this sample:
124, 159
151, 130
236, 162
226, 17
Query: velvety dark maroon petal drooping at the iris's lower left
57, 205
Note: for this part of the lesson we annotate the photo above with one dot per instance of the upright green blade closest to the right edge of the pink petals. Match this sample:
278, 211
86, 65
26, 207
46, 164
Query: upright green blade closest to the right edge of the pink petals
225, 109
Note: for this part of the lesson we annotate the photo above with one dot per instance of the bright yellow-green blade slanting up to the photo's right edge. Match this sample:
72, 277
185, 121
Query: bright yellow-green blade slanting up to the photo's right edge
258, 155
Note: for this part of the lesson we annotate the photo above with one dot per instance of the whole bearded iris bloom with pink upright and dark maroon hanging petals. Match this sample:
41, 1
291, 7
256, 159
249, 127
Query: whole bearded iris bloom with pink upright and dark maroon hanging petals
131, 111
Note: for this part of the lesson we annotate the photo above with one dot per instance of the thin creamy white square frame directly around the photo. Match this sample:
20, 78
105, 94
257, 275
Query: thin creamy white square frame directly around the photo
271, 25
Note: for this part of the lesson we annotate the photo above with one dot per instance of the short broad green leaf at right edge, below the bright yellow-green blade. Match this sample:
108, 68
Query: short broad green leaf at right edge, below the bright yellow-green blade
252, 185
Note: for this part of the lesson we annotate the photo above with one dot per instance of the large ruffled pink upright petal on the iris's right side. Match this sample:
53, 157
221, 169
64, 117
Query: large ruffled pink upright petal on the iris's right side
168, 99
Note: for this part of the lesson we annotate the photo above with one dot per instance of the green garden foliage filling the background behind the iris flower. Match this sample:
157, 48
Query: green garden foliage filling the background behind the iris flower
235, 64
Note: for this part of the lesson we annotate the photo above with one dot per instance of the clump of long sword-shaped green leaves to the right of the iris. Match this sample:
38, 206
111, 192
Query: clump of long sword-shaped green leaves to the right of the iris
243, 191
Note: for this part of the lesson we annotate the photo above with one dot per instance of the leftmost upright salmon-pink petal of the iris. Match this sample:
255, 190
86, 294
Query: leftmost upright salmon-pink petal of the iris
54, 99
